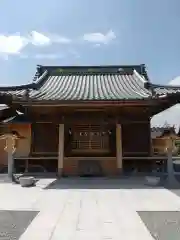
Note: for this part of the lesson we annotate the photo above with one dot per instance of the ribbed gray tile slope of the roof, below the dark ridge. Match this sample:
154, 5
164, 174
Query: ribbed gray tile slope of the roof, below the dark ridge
108, 86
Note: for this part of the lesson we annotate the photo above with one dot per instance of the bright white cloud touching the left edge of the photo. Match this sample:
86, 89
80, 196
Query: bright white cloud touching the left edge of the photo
12, 44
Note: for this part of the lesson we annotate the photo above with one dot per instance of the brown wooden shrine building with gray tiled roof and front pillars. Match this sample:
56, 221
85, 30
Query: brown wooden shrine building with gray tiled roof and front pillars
88, 120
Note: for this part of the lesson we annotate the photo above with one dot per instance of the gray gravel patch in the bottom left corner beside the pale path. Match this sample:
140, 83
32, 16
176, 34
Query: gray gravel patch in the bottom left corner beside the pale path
14, 223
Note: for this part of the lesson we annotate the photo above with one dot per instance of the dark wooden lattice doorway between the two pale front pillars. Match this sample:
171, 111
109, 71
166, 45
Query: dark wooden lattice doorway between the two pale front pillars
91, 140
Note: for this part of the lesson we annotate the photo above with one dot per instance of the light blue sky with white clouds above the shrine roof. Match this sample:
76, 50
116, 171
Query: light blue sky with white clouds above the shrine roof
89, 32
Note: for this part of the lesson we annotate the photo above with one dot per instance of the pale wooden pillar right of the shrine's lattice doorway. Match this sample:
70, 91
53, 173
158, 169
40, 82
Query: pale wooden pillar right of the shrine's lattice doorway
119, 148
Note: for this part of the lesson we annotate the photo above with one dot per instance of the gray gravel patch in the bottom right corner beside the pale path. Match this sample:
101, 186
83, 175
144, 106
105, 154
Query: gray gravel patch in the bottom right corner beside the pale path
162, 225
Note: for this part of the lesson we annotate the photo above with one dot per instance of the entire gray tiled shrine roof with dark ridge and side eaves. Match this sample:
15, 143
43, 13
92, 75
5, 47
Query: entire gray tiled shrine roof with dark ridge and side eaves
91, 83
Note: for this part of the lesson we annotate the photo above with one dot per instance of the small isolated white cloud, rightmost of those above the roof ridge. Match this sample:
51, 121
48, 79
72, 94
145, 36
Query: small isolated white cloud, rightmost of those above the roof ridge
99, 38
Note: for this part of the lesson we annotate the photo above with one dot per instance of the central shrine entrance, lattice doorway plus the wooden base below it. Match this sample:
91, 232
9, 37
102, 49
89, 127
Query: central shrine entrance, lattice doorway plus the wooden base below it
88, 146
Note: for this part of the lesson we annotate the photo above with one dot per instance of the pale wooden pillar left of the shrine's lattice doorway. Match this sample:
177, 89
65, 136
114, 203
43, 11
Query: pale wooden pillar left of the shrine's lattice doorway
61, 149
